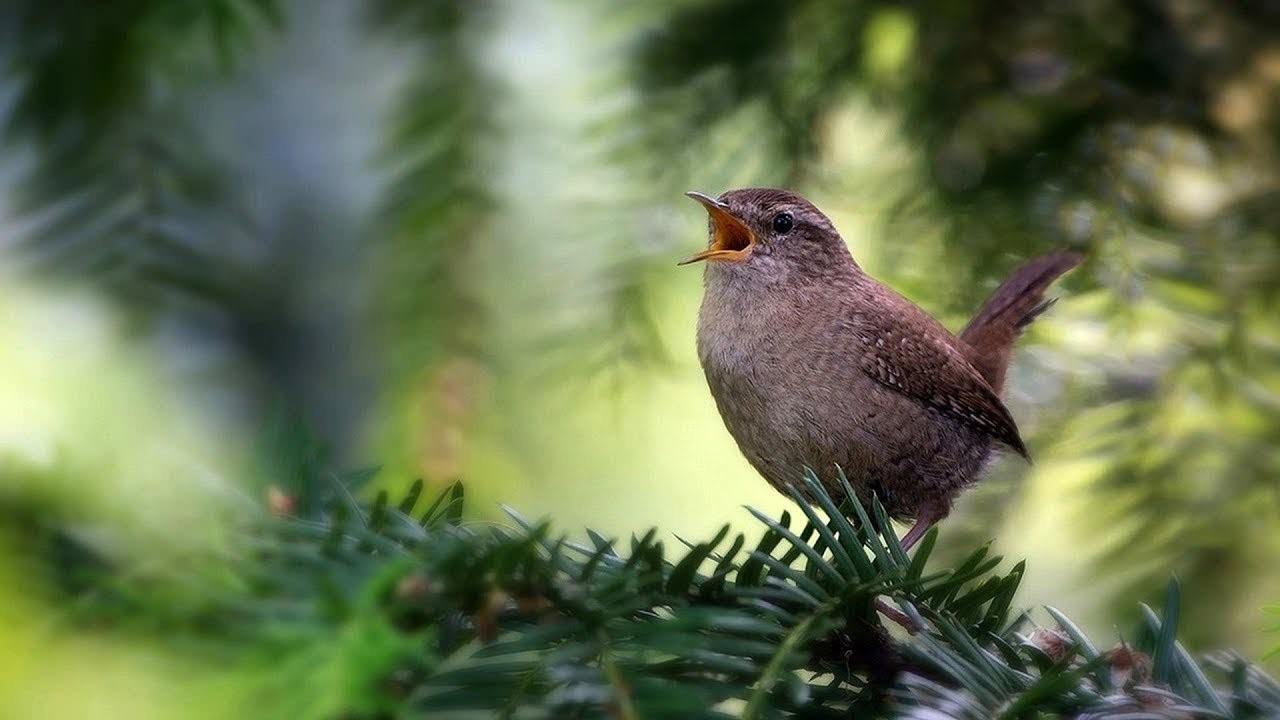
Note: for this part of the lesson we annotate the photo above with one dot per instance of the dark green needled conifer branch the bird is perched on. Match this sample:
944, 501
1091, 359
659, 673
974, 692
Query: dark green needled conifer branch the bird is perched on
522, 623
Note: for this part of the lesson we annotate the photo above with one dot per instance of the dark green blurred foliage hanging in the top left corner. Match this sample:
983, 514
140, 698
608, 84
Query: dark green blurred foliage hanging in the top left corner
122, 186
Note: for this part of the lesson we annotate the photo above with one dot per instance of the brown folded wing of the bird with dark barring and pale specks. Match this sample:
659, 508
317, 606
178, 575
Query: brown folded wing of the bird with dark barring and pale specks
908, 352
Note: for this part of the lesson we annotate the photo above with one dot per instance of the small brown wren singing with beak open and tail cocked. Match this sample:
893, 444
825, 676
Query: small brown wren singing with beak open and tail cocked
815, 363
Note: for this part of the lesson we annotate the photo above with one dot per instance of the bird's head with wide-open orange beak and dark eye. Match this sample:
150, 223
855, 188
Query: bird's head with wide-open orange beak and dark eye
770, 235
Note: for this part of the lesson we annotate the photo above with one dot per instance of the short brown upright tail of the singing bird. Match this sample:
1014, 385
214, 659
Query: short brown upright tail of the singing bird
990, 336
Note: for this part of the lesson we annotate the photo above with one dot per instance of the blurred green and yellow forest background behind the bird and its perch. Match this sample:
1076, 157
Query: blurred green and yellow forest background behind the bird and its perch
441, 238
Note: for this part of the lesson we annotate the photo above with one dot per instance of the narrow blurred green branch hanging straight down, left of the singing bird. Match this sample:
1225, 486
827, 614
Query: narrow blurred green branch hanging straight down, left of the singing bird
438, 209
